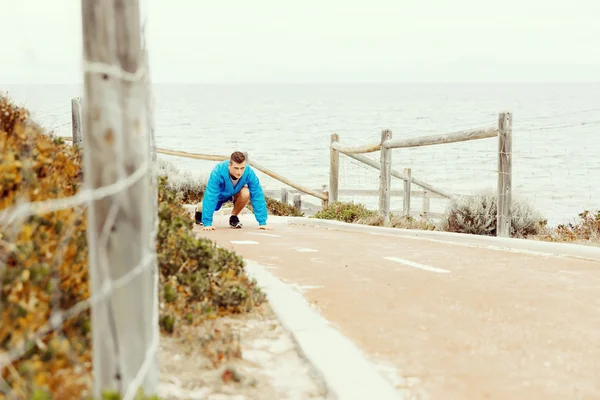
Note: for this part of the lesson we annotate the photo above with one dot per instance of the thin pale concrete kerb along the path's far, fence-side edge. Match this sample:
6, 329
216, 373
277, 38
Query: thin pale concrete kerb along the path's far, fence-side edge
492, 242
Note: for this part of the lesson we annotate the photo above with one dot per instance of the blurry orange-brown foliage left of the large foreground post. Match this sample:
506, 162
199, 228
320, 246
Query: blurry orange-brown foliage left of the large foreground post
43, 261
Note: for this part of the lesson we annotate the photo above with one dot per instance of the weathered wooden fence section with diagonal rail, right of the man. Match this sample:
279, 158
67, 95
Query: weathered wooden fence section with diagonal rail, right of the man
503, 131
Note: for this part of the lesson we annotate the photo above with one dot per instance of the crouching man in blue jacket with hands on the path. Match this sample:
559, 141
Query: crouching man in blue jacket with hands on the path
232, 180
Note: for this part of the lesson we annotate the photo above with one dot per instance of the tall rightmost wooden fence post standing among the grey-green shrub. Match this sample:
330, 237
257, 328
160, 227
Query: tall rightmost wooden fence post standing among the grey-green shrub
503, 222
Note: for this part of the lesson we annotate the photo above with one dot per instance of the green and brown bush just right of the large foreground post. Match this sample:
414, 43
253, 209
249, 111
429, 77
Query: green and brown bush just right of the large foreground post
197, 277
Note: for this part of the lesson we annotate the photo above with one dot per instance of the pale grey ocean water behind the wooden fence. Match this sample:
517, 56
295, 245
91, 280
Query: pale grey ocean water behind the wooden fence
287, 128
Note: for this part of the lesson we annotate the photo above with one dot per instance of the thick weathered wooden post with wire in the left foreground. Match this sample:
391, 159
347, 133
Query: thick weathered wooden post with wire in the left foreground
116, 151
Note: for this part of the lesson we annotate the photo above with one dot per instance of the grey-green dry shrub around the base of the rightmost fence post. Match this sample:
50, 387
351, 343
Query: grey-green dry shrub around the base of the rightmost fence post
477, 214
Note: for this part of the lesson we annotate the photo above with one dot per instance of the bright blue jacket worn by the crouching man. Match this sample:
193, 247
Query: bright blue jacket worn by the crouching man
219, 189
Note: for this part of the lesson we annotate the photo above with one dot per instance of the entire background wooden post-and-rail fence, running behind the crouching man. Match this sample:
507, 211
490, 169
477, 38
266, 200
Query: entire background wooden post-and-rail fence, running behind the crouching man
503, 131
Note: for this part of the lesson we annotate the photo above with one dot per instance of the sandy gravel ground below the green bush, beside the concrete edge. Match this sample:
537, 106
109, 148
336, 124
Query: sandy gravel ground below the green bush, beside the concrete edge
261, 362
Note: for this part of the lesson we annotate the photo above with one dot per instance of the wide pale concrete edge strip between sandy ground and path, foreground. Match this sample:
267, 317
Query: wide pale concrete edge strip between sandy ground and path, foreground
343, 367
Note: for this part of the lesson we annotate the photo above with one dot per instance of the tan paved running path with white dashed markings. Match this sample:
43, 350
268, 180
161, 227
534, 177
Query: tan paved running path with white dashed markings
467, 322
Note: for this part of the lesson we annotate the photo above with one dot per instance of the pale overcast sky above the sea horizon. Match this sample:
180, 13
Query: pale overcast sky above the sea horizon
322, 41
